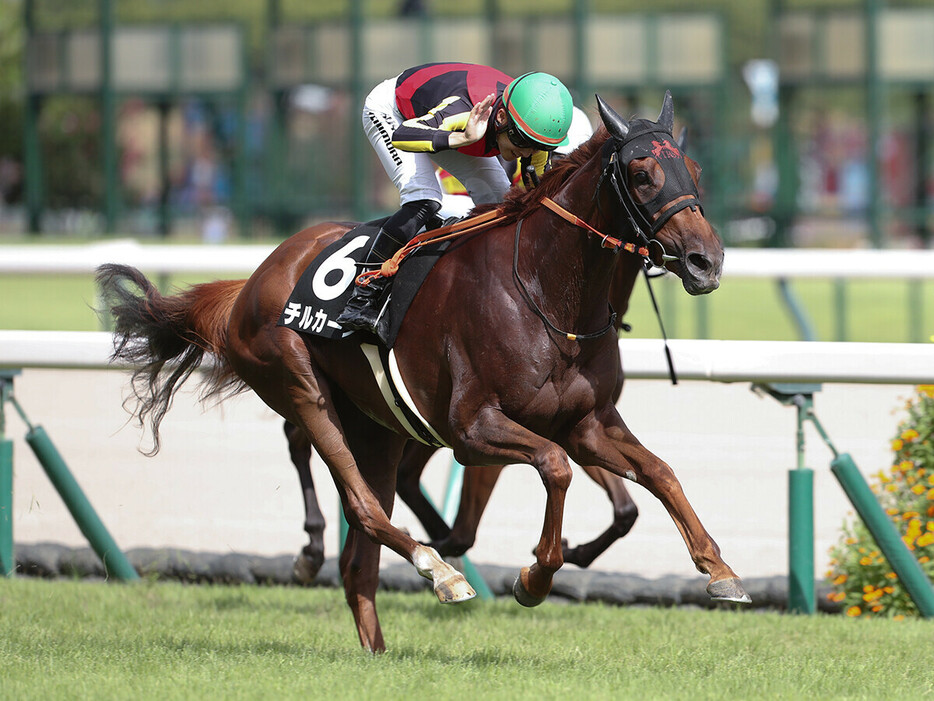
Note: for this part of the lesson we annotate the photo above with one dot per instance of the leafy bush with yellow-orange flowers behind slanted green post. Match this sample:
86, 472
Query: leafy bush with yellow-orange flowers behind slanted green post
862, 579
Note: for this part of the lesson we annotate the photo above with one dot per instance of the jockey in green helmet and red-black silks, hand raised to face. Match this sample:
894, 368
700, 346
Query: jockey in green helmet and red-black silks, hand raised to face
458, 116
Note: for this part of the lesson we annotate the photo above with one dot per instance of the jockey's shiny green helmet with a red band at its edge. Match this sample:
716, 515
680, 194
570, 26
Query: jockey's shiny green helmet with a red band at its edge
541, 108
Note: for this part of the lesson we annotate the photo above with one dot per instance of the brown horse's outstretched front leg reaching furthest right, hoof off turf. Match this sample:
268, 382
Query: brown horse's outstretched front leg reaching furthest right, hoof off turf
610, 444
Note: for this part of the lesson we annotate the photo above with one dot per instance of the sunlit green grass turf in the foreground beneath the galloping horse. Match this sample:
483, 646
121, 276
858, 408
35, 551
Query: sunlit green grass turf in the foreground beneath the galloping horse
69, 639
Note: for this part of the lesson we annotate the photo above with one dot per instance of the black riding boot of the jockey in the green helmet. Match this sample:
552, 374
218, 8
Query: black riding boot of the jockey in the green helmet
363, 308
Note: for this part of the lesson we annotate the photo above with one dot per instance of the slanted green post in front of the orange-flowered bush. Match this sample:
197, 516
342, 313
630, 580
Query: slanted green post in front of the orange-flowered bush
886, 535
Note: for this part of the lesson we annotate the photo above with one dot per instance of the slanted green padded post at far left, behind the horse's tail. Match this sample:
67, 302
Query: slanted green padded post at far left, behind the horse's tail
115, 562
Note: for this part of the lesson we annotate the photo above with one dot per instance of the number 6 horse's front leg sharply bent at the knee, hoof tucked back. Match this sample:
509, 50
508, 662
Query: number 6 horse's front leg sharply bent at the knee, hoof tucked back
492, 435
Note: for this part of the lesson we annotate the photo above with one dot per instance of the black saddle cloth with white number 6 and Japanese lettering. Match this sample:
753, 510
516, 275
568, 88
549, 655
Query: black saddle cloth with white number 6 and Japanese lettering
323, 289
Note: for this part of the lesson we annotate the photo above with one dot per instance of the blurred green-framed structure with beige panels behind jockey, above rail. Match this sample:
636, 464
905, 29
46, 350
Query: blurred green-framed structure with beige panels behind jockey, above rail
240, 118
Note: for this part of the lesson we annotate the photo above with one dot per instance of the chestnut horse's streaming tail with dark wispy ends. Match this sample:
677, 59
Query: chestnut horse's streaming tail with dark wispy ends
151, 330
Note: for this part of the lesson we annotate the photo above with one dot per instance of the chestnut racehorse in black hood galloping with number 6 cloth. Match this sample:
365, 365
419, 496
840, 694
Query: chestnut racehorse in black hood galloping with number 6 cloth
506, 351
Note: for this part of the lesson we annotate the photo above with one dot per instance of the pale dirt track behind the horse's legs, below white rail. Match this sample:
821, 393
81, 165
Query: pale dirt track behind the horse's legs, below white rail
223, 481
